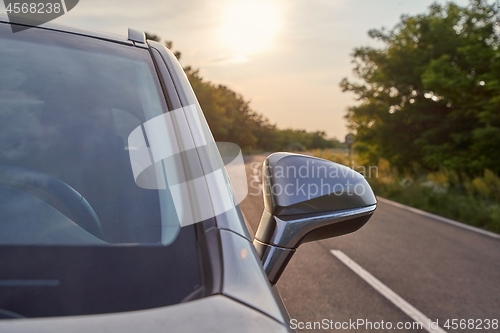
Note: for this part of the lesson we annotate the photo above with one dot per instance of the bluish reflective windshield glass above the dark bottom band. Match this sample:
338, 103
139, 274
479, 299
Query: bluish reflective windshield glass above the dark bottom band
67, 108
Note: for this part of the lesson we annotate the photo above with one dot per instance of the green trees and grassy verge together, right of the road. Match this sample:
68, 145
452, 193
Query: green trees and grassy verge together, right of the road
428, 112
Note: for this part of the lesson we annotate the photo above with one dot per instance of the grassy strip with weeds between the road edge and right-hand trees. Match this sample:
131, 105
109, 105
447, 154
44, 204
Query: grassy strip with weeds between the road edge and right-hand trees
474, 201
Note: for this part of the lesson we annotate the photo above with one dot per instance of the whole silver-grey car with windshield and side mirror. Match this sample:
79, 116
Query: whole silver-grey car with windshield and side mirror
117, 212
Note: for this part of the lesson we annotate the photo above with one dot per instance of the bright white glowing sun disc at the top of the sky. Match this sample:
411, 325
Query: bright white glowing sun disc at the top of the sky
249, 27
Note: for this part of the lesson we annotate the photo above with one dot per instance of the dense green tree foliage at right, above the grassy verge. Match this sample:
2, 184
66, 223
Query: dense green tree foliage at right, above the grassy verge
430, 97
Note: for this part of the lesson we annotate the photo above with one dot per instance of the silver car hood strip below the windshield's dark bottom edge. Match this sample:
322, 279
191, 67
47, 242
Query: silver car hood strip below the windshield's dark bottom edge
211, 314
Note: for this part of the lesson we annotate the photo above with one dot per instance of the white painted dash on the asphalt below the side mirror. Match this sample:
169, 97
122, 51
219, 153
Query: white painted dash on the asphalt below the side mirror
387, 293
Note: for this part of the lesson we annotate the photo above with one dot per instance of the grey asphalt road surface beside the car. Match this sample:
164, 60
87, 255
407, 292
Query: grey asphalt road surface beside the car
443, 271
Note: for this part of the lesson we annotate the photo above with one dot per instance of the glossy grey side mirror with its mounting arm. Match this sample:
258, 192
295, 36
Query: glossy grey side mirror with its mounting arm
307, 199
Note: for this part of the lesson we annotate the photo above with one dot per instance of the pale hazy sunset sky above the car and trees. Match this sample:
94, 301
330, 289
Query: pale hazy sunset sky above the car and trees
286, 57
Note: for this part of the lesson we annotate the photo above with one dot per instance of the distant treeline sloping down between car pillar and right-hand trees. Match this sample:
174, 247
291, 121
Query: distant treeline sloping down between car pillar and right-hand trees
231, 119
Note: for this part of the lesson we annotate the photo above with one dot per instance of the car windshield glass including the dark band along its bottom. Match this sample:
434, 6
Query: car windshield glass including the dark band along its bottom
79, 234
